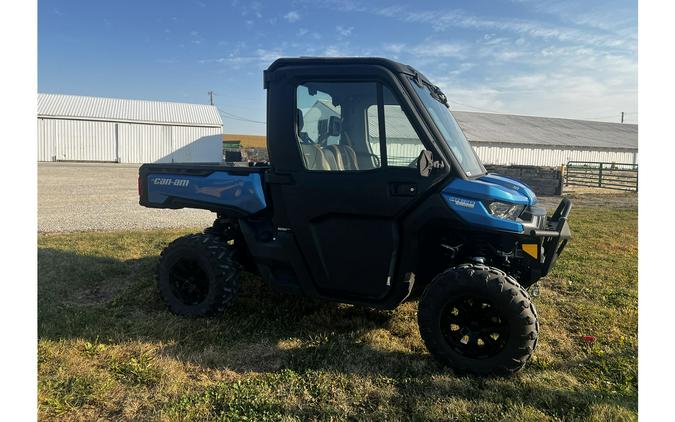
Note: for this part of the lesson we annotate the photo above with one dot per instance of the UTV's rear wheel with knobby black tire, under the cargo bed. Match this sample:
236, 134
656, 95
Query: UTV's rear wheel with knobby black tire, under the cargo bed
198, 275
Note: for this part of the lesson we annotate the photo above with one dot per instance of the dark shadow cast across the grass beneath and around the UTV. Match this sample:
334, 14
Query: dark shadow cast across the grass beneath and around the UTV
101, 299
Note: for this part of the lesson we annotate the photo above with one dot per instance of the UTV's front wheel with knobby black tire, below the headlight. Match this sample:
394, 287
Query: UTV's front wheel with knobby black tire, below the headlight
479, 320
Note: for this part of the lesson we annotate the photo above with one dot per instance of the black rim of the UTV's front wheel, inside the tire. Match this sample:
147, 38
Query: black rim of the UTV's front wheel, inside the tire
474, 327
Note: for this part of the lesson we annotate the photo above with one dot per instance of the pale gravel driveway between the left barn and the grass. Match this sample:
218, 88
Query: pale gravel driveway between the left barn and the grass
83, 196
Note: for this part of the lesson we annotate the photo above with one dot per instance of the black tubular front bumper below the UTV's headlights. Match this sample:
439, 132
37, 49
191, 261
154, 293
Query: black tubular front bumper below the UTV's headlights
544, 245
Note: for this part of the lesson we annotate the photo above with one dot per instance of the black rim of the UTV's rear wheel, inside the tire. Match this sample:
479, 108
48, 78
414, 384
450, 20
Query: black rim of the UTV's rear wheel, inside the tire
189, 282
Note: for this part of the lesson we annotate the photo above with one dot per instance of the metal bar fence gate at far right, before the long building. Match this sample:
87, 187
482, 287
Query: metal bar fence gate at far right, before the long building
620, 176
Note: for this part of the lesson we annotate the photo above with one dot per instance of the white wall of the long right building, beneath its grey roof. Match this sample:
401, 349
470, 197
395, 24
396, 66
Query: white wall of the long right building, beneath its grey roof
544, 156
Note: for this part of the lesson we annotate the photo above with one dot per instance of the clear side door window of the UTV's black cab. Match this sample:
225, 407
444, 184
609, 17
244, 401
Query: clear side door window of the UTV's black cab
338, 128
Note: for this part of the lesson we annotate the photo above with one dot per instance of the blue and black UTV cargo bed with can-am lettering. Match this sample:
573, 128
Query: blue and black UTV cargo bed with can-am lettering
229, 190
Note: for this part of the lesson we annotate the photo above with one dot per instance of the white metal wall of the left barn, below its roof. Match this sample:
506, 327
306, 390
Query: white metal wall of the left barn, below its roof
82, 140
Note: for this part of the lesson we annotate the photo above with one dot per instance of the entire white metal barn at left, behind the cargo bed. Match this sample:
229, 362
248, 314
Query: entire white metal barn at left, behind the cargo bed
78, 128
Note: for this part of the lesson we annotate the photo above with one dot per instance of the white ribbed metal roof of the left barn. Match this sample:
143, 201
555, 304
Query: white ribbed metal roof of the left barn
116, 109
